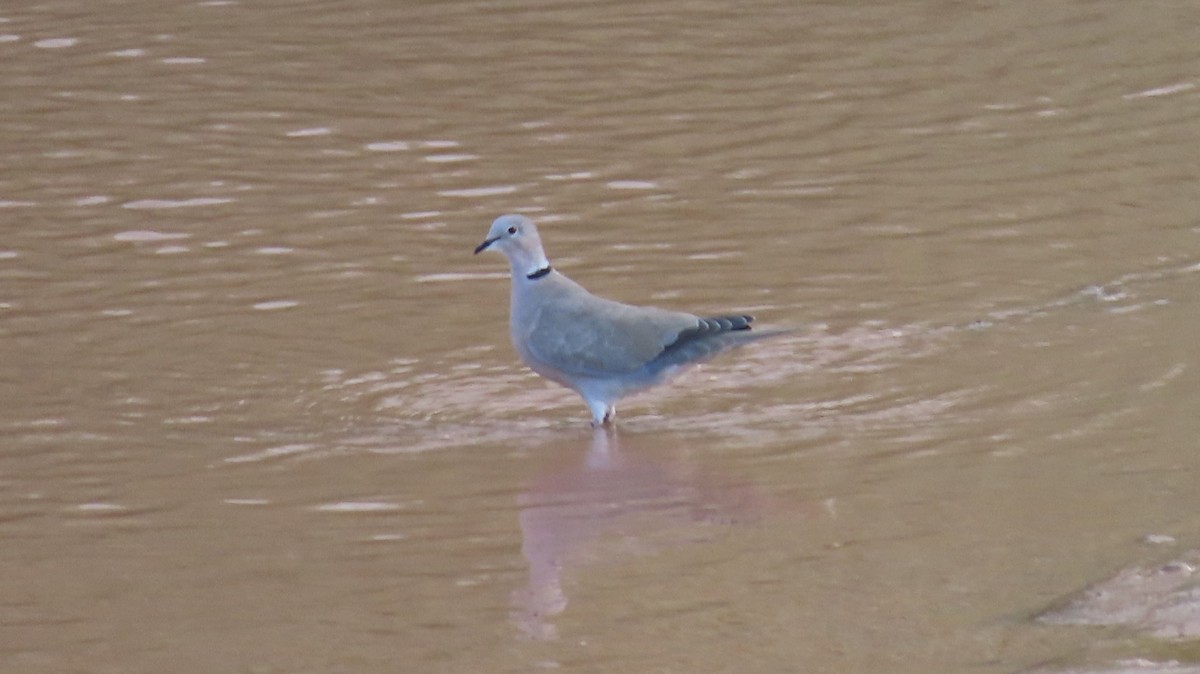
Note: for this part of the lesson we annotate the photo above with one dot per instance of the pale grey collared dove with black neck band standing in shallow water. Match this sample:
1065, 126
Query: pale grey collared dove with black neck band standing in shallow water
599, 348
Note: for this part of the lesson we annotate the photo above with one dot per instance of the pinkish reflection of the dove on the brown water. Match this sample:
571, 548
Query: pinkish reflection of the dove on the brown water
613, 504
